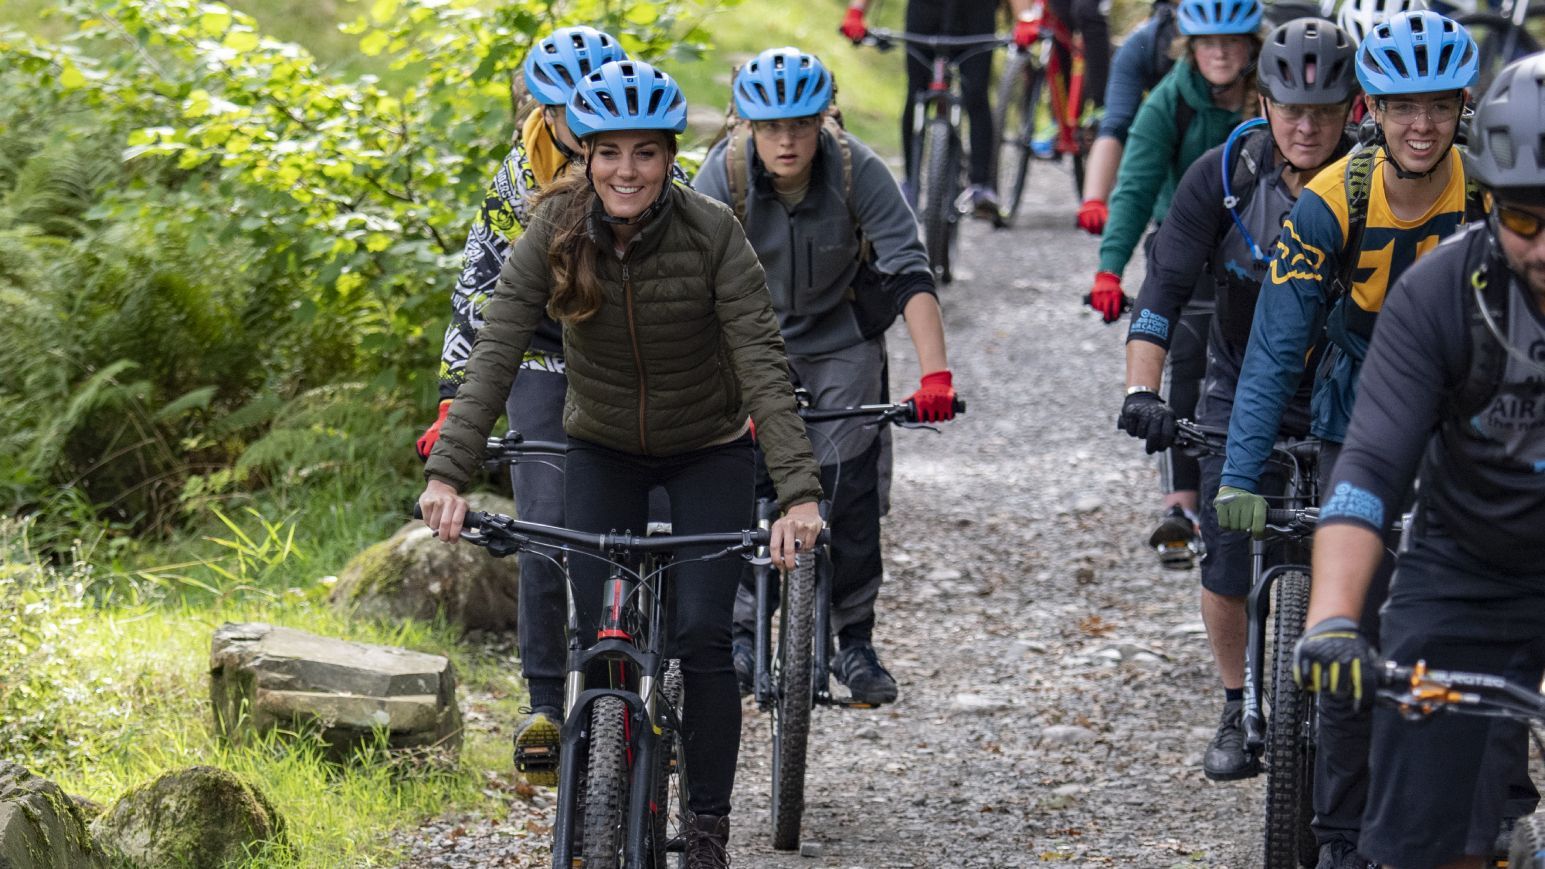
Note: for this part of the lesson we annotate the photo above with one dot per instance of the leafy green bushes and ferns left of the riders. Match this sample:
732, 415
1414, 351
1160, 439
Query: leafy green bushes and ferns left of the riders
217, 248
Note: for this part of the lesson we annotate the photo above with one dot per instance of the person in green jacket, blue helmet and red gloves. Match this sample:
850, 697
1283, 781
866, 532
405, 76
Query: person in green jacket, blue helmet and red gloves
1192, 111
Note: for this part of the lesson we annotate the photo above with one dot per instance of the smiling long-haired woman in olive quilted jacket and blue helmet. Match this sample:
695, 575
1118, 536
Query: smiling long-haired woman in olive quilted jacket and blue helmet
671, 342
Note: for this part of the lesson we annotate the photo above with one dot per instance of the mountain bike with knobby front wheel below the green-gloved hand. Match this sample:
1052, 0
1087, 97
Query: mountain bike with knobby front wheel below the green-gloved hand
1278, 602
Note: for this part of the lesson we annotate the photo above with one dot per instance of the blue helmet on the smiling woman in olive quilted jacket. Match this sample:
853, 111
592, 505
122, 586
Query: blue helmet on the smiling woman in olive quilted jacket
626, 95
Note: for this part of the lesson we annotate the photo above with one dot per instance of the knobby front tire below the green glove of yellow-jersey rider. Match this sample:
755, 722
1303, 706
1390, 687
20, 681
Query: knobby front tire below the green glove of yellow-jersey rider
1289, 754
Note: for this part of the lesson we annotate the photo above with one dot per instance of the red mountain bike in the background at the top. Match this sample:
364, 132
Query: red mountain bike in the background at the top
1048, 73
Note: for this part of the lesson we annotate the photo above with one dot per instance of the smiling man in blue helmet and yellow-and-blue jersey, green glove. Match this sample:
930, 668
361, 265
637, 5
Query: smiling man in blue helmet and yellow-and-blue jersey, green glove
1357, 228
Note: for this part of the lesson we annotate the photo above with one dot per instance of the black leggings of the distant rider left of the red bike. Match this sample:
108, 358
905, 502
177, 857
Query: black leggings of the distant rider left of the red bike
956, 18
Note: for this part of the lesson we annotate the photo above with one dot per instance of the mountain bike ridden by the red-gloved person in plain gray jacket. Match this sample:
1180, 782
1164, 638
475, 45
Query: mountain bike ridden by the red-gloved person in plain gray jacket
793, 675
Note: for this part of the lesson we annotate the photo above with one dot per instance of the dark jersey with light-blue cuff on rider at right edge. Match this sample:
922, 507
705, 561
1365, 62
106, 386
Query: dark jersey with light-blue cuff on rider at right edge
1484, 477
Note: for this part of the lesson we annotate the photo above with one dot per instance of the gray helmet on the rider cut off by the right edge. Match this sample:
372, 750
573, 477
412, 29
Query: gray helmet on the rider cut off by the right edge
1509, 131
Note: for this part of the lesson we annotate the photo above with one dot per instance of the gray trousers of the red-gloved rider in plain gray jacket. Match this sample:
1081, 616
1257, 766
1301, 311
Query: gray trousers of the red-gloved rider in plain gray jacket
851, 457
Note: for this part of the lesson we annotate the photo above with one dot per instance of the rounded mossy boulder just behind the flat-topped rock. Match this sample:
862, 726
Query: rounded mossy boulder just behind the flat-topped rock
415, 576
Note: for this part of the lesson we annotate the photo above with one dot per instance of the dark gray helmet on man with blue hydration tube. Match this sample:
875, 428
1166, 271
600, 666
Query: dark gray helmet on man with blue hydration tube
1303, 50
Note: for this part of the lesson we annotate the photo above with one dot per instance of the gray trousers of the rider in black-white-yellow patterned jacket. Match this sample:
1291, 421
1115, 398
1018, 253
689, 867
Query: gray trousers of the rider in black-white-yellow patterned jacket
537, 409
